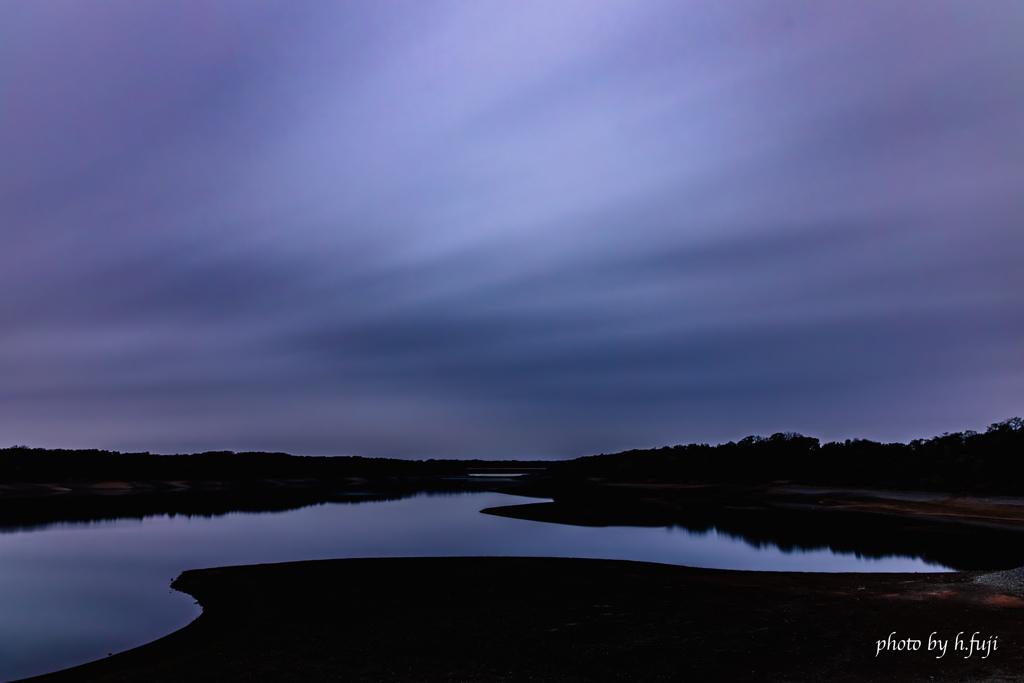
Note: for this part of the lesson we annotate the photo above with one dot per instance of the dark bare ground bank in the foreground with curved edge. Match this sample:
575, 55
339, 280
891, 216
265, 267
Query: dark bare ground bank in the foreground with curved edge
570, 620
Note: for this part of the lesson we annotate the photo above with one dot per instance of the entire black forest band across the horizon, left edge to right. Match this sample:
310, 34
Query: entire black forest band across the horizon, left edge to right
965, 462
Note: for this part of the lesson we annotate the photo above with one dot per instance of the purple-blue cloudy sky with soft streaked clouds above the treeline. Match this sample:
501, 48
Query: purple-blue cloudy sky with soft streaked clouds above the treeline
509, 229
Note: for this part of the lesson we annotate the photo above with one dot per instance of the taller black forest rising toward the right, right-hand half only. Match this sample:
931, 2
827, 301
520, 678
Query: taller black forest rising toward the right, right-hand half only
964, 462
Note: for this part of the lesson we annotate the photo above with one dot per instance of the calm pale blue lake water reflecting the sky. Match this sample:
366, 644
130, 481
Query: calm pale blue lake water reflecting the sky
72, 593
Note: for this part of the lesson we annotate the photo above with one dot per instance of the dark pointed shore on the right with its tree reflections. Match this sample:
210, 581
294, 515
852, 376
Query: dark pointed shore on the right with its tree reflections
960, 534
